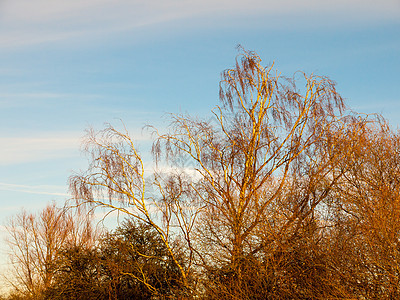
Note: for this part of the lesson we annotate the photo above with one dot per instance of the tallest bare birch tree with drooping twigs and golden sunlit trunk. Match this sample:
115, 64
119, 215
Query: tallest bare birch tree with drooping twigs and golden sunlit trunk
263, 166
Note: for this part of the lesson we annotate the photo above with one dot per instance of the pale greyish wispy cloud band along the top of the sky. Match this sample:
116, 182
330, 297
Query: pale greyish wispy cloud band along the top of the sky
27, 22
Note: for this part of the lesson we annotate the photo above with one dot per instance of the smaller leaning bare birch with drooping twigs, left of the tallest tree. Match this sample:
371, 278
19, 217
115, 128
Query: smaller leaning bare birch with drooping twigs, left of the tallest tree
116, 180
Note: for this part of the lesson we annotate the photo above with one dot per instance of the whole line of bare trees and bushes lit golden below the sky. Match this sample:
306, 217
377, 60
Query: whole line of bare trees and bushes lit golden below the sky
284, 195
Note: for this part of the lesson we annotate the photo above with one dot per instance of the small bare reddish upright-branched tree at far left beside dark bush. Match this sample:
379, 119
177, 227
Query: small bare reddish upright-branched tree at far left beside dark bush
36, 240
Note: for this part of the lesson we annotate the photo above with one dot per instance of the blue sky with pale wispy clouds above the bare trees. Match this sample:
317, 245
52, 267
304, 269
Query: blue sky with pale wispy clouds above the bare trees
66, 66
